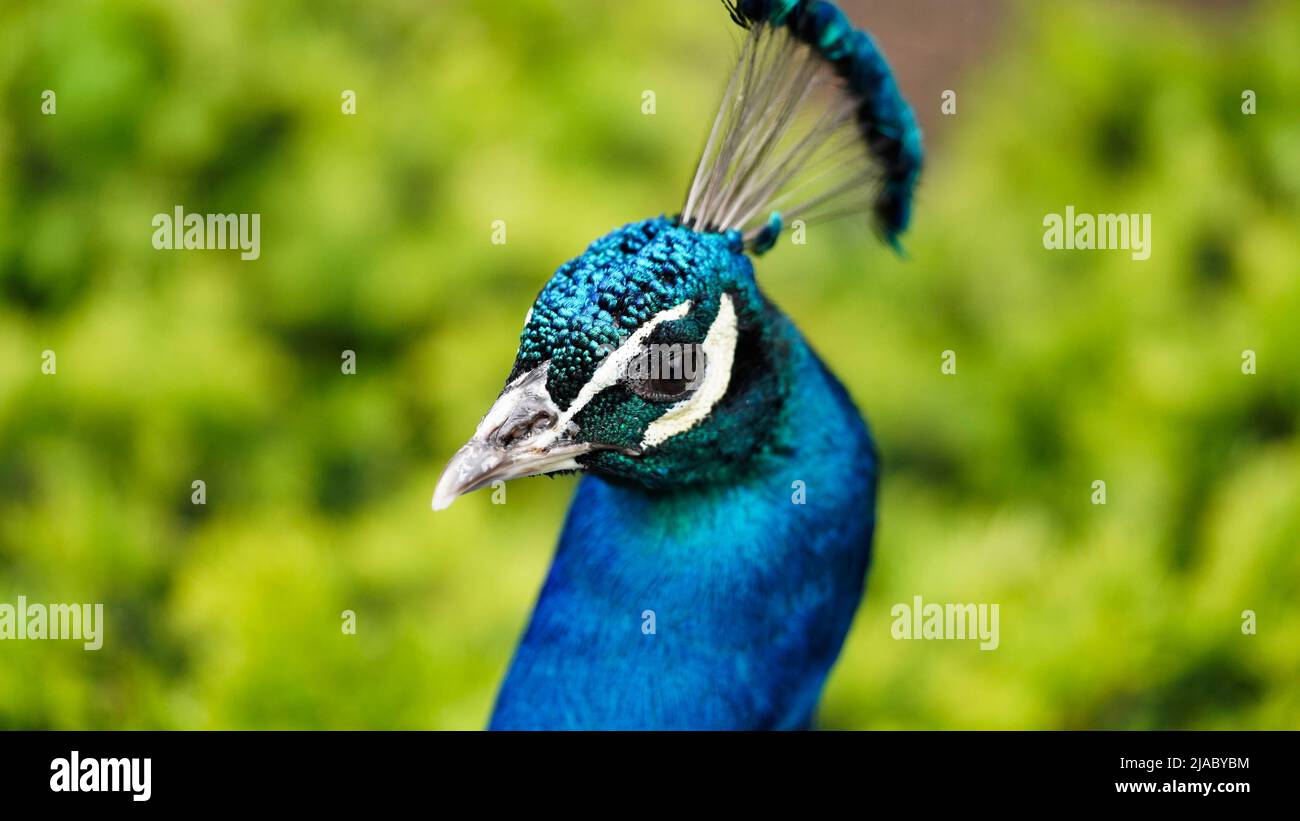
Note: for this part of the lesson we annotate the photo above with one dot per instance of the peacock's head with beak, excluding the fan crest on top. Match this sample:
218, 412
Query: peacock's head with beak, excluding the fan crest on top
648, 359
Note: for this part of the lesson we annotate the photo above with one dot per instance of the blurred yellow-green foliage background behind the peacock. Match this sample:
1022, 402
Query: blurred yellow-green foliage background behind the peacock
175, 367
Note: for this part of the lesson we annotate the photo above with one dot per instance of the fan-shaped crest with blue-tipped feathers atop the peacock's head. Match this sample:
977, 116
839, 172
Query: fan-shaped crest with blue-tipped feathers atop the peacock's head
812, 127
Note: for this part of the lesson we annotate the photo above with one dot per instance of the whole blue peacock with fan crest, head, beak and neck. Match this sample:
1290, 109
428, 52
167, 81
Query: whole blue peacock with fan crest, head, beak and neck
717, 546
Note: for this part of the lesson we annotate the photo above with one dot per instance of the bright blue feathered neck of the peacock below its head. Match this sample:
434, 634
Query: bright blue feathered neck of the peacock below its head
713, 606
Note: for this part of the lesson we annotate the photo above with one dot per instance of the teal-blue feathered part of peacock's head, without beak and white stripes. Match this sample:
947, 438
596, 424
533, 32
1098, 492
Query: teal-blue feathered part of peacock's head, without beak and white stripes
596, 302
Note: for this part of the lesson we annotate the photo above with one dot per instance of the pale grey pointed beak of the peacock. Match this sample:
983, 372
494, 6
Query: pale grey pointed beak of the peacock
523, 435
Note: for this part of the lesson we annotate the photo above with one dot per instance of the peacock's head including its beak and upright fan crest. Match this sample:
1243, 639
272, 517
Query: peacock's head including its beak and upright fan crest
653, 358
